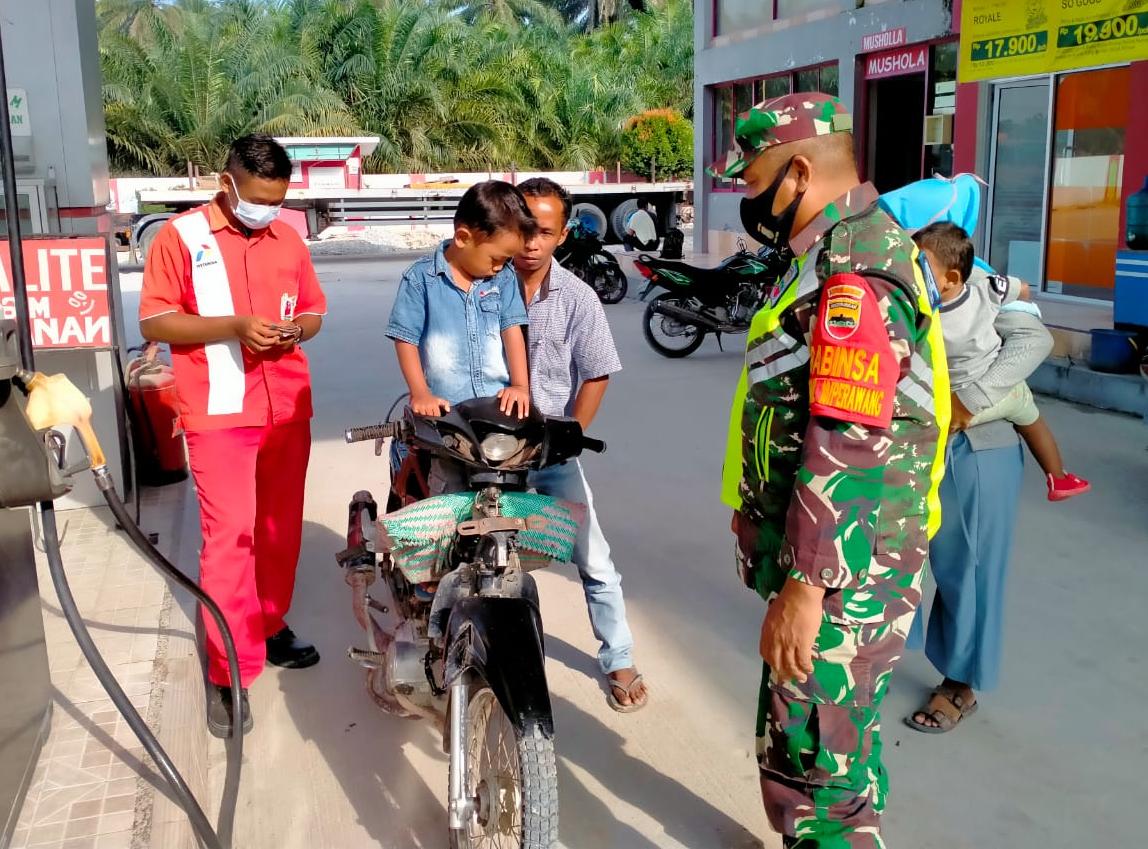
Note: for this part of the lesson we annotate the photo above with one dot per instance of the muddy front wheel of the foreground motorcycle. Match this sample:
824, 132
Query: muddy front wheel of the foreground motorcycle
514, 778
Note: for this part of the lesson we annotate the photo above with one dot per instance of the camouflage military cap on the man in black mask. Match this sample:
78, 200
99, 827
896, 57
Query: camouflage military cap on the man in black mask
792, 118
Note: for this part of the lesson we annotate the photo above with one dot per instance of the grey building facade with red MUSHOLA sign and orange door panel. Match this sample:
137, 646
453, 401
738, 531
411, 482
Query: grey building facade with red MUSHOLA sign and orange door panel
1061, 152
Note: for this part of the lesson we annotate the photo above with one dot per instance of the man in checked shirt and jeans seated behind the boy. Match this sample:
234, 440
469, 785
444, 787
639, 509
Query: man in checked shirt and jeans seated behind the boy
572, 357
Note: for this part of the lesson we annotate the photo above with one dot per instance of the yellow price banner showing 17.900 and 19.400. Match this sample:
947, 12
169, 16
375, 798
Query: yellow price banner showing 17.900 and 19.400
1015, 38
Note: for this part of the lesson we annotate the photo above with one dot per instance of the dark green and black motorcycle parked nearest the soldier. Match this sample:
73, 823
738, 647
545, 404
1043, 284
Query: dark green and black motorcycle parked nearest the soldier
702, 301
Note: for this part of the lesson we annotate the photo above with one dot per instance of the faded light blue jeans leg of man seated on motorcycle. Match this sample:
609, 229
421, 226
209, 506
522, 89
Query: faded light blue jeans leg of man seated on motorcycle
601, 581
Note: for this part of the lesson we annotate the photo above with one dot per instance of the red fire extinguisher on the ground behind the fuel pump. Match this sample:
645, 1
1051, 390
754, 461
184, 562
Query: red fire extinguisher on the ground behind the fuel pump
159, 438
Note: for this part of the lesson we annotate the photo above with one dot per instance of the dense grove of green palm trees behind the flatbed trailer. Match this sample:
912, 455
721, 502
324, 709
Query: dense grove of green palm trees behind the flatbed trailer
446, 84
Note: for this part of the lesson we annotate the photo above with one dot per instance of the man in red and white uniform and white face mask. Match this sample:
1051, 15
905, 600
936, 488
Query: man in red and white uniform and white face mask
234, 292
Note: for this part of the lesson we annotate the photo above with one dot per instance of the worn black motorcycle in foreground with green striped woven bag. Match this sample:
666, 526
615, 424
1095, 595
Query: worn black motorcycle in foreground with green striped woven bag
460, 642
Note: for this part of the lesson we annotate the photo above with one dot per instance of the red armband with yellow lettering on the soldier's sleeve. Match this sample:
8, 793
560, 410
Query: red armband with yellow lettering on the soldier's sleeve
854, 370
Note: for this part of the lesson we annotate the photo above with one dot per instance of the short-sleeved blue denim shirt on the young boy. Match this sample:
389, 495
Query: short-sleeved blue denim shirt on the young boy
459, 333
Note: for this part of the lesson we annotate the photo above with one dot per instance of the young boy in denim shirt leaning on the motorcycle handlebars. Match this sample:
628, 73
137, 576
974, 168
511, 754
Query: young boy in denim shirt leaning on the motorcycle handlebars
457, 321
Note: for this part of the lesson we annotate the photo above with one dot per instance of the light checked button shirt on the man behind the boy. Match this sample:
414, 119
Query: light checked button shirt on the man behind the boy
569, 341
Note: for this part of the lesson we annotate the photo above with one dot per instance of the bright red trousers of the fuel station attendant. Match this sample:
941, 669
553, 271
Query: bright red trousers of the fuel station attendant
251, 488
